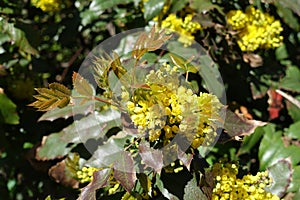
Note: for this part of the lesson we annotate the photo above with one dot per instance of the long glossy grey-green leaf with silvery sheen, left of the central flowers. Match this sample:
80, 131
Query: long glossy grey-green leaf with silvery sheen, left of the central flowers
94, 126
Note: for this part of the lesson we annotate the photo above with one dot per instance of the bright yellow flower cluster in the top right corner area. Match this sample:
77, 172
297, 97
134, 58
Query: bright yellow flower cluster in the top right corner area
256, 29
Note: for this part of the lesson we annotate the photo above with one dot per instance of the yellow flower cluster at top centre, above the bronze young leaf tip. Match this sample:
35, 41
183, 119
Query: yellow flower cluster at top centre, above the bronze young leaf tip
184, 27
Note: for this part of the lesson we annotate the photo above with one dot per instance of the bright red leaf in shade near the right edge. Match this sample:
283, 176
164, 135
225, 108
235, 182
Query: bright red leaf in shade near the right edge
275, 104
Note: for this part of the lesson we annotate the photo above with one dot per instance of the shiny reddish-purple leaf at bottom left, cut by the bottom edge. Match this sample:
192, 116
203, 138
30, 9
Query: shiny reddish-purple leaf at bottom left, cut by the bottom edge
100, 180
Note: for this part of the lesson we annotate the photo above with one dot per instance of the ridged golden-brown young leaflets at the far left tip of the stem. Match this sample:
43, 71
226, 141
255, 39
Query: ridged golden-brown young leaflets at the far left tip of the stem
56, 96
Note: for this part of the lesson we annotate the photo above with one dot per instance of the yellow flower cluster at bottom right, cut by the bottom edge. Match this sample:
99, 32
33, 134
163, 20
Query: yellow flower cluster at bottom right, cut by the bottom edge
228, 186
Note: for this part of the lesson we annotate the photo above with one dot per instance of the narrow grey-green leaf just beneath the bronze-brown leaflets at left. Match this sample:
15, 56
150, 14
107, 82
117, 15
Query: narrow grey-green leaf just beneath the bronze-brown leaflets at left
70, 111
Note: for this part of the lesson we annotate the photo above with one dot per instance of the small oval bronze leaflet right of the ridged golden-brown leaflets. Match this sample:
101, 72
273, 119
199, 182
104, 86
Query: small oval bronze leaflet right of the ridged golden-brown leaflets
82, 86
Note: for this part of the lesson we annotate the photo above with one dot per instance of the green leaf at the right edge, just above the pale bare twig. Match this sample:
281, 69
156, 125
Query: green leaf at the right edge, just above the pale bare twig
291, 81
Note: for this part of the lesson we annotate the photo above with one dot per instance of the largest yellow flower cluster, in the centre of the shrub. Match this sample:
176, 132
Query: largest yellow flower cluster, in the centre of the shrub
164, 109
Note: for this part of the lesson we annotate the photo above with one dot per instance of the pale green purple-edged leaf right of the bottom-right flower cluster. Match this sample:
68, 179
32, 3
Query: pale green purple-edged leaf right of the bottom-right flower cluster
281, 174
